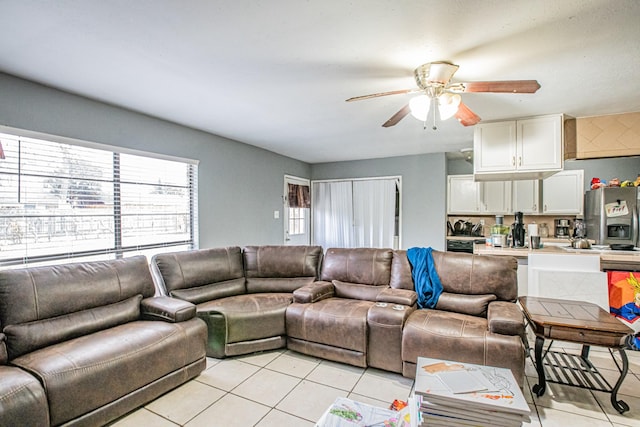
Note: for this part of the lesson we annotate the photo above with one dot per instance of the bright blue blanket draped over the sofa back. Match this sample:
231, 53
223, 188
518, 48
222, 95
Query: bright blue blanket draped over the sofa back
425, 277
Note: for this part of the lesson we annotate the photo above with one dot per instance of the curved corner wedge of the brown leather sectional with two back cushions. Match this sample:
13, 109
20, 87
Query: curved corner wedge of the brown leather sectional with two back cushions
242, 295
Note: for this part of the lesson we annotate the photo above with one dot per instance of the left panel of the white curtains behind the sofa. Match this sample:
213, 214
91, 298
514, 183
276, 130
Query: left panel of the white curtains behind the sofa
332, 204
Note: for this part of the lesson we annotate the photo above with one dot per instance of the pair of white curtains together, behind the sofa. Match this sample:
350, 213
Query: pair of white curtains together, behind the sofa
350, 214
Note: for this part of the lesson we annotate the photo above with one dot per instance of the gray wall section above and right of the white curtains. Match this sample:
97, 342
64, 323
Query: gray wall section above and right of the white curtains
424, 186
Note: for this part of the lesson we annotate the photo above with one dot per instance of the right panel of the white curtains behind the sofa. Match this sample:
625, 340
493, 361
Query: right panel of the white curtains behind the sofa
374, 209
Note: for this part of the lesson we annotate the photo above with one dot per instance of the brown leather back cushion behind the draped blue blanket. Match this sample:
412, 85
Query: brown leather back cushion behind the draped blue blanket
462, 273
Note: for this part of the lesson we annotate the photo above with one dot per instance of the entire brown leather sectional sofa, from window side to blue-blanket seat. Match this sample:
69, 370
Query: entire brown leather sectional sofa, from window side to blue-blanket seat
82, 344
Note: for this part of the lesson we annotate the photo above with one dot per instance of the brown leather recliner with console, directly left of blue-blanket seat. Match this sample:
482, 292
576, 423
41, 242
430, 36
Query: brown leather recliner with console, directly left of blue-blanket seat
351, 315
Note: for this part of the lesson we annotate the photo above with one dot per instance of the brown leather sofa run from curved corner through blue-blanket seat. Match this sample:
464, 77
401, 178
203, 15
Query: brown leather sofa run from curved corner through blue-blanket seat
356, 306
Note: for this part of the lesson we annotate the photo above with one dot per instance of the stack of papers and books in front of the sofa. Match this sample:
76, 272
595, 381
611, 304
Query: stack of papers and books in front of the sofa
463, 394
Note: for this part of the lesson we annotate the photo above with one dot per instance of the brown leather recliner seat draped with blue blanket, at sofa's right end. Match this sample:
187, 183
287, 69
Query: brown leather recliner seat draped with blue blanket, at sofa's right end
476, 319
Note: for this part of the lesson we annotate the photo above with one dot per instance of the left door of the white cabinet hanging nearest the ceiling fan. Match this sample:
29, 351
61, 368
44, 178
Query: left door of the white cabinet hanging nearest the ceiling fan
494, 147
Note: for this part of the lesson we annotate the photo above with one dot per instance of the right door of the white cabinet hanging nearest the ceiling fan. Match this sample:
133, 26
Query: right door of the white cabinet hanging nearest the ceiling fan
539, 144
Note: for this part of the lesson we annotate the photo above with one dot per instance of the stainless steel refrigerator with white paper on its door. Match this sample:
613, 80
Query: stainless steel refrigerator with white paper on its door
611, 215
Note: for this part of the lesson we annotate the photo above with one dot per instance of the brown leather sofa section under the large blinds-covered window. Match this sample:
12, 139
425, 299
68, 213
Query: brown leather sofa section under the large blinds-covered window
95, 338
